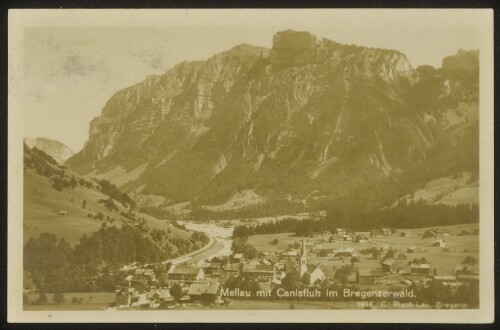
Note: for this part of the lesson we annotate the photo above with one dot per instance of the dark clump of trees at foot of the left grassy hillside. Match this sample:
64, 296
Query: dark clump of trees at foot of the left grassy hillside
56, 266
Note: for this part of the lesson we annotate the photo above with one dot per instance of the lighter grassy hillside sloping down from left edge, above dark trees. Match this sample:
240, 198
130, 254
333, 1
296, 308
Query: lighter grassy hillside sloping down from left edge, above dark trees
58, 201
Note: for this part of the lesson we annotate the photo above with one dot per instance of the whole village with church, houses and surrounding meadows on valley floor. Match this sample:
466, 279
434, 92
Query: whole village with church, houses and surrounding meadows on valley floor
295, 267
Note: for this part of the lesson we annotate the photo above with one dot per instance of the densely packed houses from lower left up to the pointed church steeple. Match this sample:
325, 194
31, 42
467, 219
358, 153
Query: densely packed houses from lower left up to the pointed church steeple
148, 286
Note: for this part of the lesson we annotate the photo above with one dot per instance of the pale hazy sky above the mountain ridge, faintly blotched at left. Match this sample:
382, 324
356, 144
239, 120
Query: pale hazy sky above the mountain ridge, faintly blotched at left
74, 61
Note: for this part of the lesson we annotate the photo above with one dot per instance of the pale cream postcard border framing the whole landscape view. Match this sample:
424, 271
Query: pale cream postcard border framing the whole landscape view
19, 19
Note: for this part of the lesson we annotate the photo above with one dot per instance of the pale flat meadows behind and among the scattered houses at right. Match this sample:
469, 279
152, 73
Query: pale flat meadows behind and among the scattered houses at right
444, 260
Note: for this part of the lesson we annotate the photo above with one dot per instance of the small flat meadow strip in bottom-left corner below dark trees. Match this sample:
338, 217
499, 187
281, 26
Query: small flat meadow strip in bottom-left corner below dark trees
89, 301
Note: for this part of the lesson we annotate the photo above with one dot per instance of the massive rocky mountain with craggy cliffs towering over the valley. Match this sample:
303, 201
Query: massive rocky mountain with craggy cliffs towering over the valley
308, 120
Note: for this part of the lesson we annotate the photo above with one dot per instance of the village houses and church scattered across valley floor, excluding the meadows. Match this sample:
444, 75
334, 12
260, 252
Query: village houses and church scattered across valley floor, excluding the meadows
149, 286
